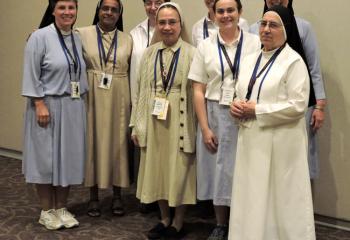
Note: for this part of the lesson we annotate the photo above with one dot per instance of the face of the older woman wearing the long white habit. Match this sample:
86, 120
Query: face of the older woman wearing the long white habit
271, 31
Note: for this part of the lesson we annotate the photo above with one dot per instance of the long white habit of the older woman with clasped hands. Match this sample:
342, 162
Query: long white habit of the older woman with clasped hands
271, 198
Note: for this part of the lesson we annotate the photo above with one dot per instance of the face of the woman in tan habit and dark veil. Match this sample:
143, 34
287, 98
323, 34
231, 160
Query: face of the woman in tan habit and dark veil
109, 14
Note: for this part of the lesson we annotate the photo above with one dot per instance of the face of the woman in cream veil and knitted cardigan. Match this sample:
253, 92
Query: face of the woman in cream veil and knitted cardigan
168, 25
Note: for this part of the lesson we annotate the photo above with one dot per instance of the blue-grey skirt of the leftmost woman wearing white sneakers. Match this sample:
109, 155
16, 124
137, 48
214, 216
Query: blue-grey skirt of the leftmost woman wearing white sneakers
55, 154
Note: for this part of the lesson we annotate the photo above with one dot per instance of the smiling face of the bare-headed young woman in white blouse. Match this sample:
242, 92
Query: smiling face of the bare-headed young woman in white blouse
227, 14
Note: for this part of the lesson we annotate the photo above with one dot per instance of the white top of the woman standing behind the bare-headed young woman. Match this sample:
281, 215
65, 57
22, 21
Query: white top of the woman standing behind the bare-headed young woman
197, 29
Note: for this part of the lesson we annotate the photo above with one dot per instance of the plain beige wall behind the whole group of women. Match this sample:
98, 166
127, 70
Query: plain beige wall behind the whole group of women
330, 21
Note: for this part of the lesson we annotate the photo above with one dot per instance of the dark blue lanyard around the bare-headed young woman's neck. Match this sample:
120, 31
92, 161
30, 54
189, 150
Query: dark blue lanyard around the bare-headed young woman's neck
237, 60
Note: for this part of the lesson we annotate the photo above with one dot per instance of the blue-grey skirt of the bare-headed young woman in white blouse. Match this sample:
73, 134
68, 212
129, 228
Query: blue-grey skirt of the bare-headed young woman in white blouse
215, 171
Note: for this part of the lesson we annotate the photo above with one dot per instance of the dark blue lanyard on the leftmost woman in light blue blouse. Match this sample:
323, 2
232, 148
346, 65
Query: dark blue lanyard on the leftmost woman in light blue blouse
76, 59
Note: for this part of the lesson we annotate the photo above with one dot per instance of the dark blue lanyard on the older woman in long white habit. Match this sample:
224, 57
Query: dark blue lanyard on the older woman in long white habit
256, 75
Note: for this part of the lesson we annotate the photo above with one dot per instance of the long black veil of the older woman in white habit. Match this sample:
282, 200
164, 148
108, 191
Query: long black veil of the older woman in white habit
293, 38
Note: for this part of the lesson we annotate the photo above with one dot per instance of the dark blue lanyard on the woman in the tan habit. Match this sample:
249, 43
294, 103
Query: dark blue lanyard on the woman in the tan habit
101, 49
